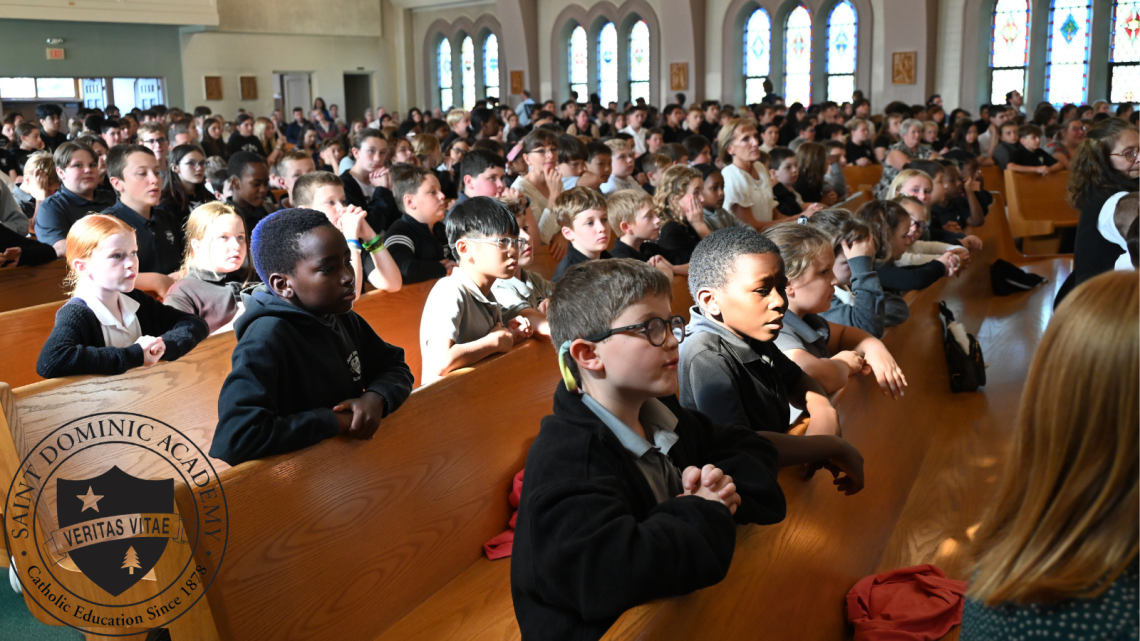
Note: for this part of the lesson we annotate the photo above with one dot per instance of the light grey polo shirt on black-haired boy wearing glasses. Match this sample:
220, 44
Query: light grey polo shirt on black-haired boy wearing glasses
455, 311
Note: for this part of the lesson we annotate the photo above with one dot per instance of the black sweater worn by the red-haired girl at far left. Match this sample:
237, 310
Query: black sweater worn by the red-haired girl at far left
76, 346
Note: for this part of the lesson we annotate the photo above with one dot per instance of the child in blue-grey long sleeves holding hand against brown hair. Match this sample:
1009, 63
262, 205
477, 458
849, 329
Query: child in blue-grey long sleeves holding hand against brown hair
859, 299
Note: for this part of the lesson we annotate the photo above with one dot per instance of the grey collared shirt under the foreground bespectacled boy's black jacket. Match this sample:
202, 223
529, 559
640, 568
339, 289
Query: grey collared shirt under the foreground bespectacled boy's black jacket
652, 457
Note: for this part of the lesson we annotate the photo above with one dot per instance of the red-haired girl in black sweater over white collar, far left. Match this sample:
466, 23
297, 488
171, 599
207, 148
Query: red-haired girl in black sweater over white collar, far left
108, 327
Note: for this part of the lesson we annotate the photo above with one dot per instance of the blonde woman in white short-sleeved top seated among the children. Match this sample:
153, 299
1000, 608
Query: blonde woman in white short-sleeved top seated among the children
747, 183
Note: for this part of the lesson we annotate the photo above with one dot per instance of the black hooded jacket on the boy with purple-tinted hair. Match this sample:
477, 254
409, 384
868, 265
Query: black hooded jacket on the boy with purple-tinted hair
290, 370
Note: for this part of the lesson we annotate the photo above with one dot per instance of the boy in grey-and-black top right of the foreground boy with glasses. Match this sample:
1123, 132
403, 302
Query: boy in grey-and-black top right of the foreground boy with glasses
730, 366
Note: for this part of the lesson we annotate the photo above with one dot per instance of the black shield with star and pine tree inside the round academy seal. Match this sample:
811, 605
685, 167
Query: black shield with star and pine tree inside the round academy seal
105, 504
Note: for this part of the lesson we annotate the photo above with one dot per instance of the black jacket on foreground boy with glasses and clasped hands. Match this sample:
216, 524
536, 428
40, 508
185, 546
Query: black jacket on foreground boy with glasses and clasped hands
591, 541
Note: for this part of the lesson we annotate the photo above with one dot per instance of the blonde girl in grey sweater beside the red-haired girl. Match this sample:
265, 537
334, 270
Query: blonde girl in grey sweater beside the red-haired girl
213, 275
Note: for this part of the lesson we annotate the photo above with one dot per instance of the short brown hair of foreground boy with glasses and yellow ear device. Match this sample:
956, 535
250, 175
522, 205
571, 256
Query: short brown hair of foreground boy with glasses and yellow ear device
592, 295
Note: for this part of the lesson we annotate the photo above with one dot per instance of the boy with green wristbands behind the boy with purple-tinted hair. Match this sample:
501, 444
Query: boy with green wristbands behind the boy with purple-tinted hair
372, 263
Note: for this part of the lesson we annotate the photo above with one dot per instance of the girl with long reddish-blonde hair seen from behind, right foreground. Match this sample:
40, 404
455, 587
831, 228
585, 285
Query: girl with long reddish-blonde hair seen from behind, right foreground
1057, 550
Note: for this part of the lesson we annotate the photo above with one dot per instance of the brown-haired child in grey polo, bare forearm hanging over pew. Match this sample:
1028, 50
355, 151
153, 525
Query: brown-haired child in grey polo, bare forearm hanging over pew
809, 339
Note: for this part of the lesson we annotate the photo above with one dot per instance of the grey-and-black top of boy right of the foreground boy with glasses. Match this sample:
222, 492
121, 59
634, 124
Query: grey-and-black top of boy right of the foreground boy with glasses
735, 380
